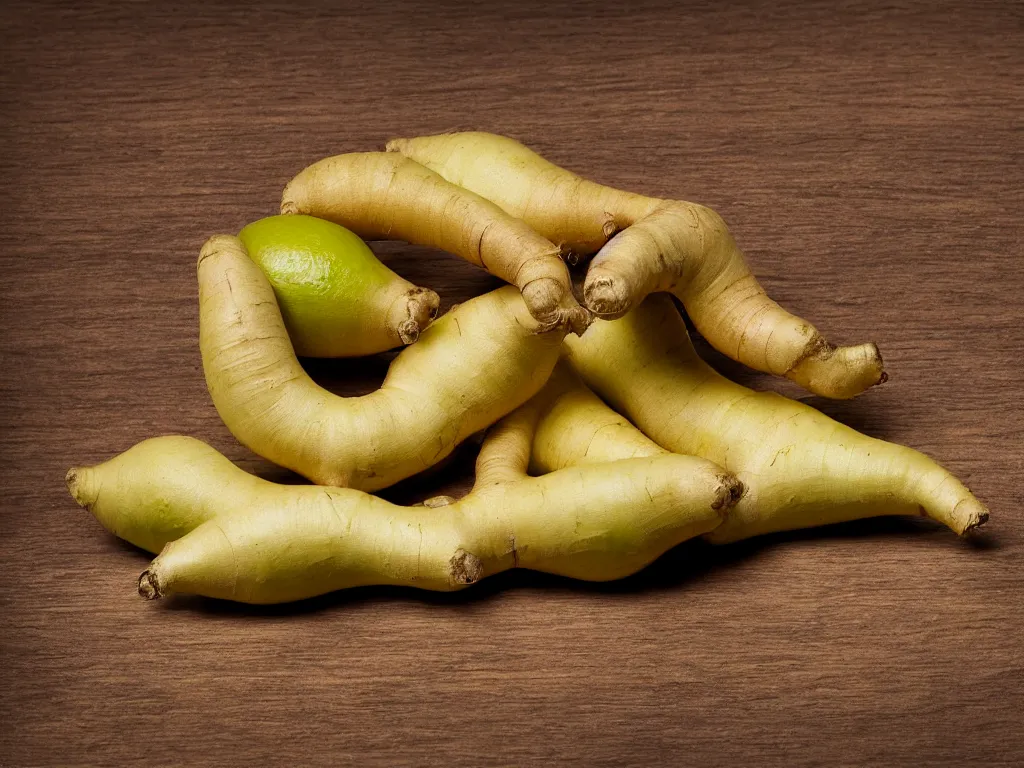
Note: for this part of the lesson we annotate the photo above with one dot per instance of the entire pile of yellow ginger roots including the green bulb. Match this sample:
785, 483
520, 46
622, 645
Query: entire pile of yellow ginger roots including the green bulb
609, 441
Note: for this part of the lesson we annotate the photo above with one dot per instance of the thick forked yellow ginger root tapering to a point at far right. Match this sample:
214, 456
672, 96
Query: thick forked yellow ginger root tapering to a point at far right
800, 468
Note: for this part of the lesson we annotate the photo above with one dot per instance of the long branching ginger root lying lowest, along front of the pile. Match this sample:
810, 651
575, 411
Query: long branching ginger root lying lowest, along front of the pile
245, 539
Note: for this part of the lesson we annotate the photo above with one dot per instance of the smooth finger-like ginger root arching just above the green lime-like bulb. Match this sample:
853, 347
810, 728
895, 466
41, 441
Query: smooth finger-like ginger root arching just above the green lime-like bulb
388, 197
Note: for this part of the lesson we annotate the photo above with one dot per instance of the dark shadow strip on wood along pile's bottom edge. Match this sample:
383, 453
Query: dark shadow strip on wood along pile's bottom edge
674, 571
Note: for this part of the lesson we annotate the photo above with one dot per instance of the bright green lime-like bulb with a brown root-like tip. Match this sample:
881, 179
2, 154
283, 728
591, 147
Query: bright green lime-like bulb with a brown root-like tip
337, 300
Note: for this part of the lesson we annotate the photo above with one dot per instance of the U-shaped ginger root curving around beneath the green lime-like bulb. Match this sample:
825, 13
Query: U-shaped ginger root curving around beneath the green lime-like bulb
468, 369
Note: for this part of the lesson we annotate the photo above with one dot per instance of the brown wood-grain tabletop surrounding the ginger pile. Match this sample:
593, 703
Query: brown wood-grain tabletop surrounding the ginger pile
870, 160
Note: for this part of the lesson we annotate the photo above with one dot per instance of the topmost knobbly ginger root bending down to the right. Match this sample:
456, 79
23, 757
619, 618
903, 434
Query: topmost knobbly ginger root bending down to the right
646, 245
